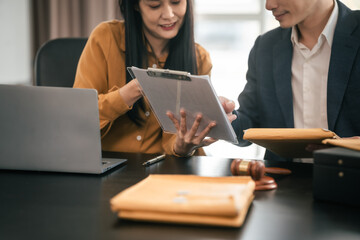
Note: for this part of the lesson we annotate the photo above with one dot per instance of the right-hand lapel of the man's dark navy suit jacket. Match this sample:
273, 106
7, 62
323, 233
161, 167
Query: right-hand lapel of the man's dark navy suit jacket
344, 49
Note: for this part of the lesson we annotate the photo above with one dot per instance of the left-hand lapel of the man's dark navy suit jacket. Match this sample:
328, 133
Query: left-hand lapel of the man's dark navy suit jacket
282, 57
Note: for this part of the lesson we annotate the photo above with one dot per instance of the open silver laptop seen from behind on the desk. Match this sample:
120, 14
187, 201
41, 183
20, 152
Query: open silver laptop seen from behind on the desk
51, 129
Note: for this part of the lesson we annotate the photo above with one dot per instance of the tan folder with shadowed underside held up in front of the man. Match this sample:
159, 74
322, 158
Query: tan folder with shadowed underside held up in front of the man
288, 142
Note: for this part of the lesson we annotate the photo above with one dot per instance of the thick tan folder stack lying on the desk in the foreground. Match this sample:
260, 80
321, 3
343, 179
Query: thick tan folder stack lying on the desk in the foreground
189, 199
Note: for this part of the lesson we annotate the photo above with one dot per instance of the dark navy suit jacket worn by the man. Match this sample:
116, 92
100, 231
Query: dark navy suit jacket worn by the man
266, 101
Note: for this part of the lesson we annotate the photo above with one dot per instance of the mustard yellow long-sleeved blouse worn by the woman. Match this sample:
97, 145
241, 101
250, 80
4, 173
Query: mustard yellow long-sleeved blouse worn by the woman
102, 67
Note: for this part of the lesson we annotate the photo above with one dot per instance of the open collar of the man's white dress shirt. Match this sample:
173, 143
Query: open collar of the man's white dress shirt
328, 31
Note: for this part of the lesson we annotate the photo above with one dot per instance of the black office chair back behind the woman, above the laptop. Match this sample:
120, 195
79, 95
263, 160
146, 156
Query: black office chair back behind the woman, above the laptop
56, 62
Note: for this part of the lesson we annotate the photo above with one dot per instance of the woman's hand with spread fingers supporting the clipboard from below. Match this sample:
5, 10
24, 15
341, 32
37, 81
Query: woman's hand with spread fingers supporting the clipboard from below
187, 140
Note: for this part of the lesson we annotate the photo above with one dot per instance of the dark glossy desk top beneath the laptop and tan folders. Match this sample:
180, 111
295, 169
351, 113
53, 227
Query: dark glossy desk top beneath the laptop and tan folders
36, 205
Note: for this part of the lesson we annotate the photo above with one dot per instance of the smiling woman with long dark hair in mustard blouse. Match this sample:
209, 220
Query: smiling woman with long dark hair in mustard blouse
154, 33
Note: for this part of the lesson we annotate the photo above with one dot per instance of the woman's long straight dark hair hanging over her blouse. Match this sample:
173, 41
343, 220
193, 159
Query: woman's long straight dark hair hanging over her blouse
181, 55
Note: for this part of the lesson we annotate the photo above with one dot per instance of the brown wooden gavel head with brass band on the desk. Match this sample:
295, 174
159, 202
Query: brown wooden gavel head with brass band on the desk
245, 167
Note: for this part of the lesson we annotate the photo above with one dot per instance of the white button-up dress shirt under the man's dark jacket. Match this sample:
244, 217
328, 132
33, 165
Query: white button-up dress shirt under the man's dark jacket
310, 75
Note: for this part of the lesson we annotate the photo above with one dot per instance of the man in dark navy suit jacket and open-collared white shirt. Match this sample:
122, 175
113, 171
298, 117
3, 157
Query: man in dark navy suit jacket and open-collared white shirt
306, 73
